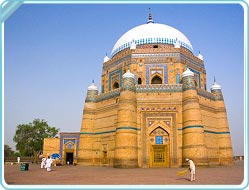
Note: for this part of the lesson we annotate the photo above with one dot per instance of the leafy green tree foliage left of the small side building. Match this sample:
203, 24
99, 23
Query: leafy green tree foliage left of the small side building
29, 137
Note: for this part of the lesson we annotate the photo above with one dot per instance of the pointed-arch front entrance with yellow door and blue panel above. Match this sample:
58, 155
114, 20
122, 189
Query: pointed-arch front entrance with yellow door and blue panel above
159, 151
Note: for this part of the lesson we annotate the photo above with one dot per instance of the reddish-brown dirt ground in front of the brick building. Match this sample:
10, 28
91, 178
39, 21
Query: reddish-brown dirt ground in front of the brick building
79, 175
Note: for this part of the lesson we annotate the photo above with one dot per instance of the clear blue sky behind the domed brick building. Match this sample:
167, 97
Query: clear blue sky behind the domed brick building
53, 52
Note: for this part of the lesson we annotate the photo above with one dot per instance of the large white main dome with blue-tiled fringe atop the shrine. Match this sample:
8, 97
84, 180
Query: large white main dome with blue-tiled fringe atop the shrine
151, 33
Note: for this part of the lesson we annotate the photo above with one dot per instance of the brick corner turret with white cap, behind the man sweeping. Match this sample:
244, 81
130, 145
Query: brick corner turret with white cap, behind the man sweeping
193, 146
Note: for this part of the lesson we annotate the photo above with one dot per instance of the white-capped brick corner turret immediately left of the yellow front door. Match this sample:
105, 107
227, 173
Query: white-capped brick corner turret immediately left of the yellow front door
126, 150
